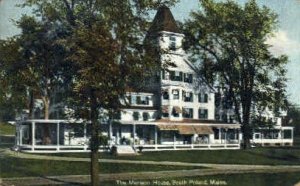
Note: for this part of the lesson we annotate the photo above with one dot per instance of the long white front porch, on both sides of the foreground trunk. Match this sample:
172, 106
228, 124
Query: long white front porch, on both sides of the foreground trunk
51, 136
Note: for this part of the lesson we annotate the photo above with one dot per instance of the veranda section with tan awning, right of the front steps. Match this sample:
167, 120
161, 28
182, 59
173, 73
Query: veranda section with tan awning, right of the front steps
177, 136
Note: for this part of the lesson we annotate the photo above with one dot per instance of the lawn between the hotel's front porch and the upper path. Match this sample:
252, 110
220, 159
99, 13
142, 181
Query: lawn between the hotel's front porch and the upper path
265, 156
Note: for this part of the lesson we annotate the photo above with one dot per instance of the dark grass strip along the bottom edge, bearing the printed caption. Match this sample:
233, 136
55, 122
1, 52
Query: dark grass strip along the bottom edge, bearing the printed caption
257, 179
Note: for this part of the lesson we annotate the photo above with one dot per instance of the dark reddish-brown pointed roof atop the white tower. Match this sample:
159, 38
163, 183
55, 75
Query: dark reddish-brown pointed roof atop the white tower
164, 21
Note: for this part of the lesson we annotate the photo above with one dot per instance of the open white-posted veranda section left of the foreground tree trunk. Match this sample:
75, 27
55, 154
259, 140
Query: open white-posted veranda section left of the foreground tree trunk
50, 136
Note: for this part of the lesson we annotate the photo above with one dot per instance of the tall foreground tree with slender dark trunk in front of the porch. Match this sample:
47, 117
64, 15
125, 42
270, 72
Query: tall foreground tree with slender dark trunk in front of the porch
106, 47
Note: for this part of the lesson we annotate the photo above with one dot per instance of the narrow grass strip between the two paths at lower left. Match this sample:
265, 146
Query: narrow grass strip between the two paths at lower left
17, 167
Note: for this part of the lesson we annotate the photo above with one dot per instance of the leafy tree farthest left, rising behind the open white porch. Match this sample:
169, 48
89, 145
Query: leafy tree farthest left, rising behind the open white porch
37, 65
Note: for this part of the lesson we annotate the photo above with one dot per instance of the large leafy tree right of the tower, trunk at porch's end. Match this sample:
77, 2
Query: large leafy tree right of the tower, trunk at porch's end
230, 40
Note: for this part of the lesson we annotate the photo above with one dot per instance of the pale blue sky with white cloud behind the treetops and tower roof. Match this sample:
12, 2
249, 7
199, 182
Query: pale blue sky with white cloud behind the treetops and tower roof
286, 38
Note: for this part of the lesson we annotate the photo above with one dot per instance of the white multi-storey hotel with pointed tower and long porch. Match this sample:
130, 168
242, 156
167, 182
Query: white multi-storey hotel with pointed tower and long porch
175, 112
